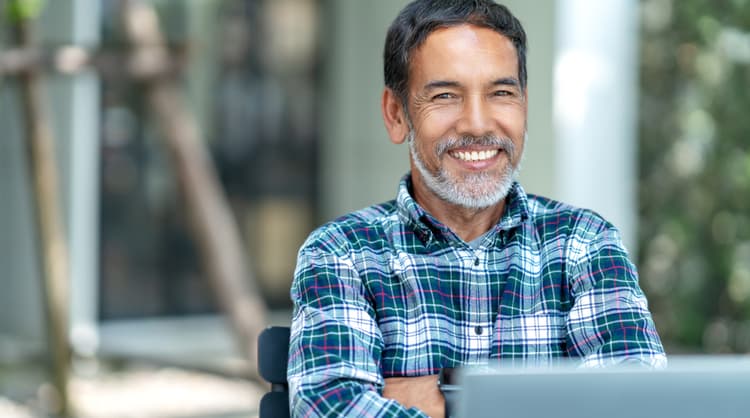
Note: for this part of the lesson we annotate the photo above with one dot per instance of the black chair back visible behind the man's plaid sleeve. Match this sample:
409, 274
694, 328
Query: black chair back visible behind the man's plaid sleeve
273, 354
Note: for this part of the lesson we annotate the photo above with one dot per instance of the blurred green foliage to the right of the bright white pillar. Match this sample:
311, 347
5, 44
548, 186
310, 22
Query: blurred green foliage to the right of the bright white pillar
695, 172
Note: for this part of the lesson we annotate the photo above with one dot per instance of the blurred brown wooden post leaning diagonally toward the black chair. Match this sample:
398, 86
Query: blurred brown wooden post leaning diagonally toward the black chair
211, 221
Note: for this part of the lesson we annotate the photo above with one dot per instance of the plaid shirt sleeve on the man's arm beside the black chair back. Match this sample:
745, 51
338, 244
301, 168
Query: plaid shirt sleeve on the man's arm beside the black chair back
335, 343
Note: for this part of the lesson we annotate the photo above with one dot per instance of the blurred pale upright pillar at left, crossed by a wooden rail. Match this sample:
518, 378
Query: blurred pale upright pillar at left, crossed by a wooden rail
75, 110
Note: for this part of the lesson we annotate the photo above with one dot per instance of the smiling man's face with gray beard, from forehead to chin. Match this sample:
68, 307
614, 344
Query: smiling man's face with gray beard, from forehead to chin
467, 116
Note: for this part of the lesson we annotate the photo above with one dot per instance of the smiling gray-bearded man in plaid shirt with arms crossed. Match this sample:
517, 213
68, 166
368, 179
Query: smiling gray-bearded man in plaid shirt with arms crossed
463, 266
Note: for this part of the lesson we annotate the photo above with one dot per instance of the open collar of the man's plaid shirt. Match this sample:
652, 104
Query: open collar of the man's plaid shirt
410, 212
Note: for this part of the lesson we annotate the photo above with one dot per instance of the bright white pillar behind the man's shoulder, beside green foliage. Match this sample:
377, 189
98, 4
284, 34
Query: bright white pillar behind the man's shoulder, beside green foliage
595, 92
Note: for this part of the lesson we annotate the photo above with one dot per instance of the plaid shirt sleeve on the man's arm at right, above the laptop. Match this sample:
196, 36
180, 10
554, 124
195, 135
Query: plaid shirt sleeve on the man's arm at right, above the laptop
609, 322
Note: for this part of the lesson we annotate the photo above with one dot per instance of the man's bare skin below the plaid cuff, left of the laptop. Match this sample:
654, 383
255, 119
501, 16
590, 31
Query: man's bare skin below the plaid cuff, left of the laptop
421, 392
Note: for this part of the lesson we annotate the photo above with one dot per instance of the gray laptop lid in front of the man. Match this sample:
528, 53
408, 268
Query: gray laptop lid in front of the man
690, 387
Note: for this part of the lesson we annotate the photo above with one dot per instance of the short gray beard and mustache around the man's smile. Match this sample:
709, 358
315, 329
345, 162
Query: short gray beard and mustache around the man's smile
473, 191
